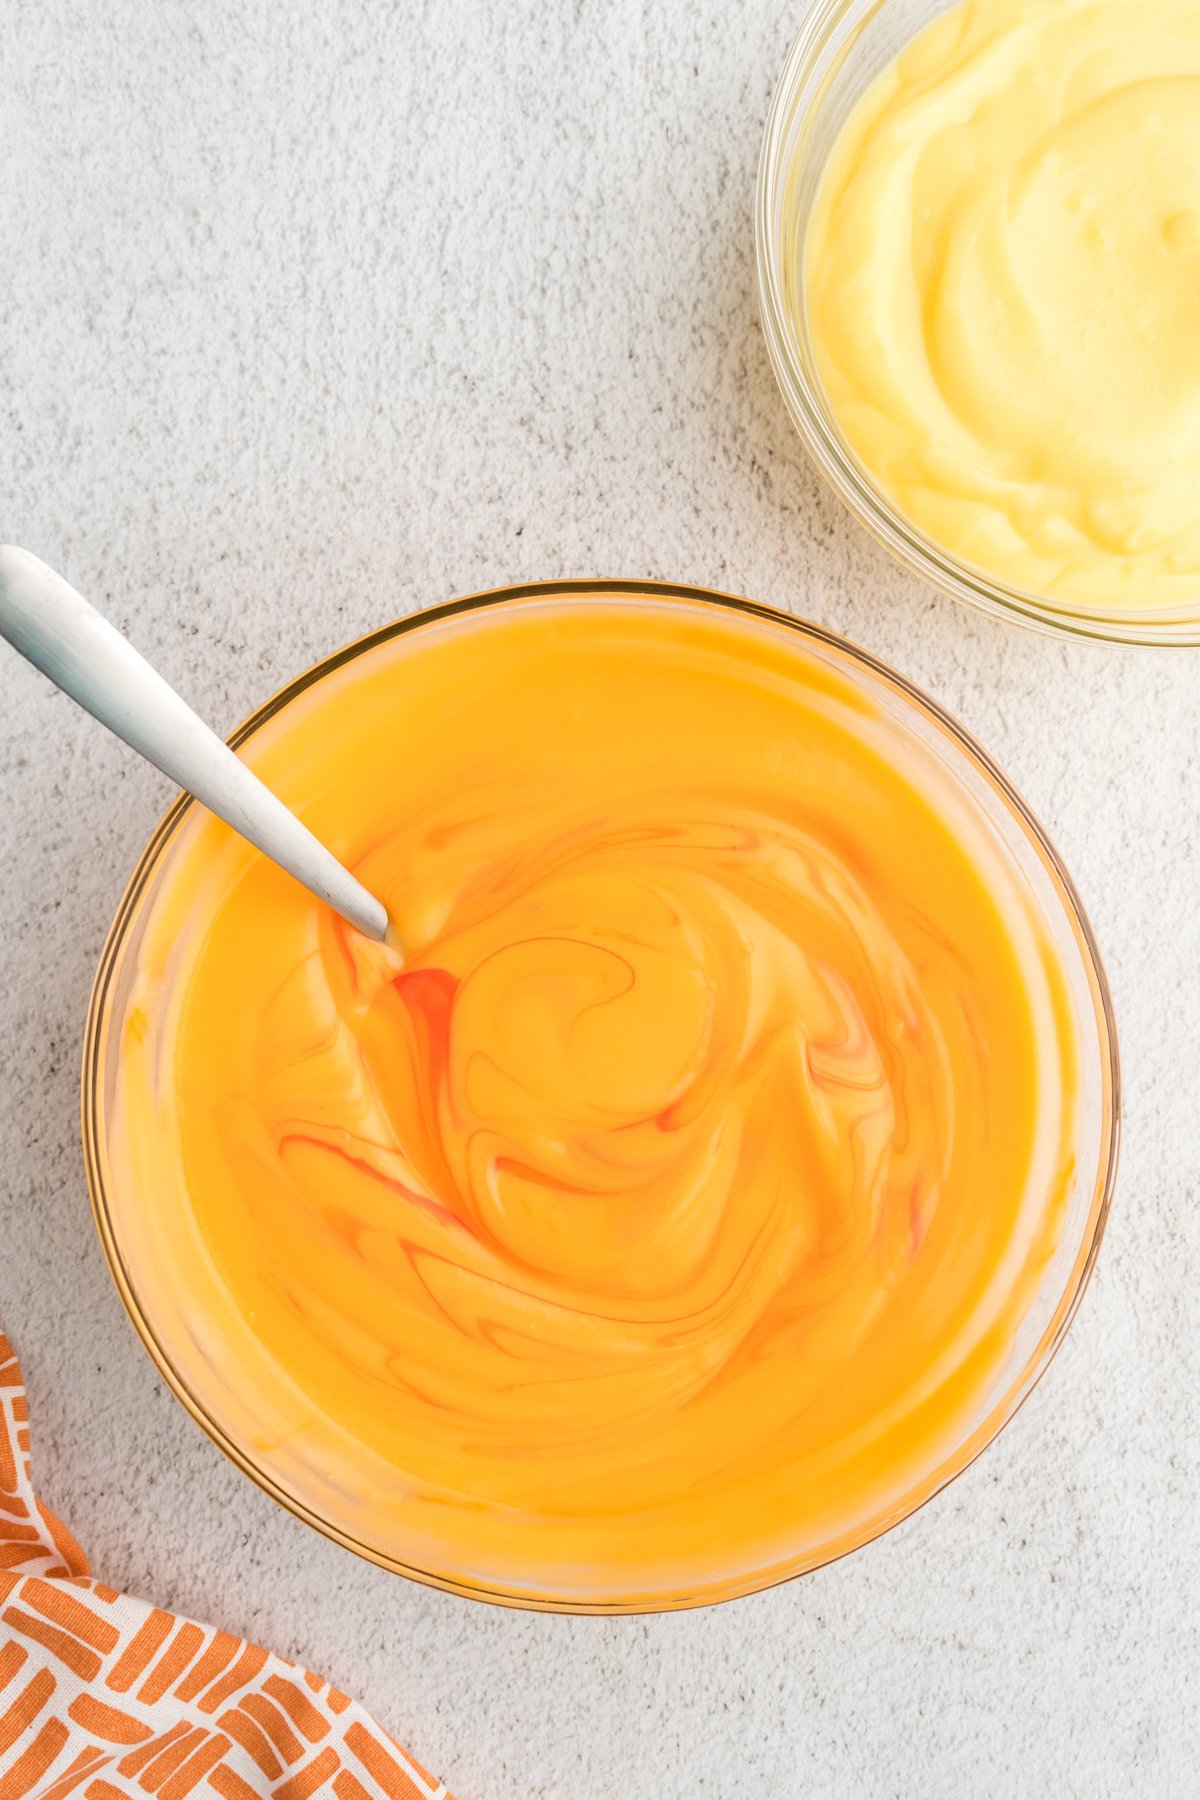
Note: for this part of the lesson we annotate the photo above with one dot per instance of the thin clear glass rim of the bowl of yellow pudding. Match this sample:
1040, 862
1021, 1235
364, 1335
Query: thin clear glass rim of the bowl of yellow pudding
814, 424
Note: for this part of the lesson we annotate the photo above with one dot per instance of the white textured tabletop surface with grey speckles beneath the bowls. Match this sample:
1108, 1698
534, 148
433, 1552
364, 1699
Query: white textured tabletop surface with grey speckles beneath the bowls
318, 314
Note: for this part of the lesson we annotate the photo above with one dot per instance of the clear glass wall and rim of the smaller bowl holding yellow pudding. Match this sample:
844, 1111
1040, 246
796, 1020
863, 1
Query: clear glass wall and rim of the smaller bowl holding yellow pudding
841, 49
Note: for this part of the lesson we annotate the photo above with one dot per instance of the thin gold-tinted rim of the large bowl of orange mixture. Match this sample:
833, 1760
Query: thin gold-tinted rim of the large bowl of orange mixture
1001, 1412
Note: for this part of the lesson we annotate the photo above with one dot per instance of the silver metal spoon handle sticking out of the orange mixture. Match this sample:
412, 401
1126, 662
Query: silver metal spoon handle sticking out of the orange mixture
87, 658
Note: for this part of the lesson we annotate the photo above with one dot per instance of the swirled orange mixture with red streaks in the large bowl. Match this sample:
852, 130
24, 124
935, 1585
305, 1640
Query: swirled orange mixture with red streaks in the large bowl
667, 1205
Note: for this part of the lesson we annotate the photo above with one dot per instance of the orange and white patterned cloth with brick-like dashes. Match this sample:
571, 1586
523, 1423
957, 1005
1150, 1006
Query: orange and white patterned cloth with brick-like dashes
107, 1698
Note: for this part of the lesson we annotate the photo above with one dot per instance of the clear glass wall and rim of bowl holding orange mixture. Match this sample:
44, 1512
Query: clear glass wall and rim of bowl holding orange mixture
1017, 838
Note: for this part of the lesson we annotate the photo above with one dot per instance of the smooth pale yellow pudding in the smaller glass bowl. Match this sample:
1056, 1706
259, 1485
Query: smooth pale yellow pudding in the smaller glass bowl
1003, 294
